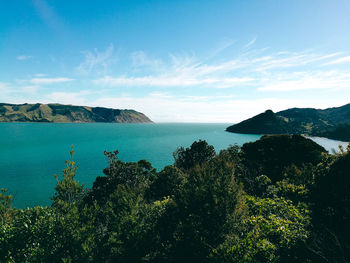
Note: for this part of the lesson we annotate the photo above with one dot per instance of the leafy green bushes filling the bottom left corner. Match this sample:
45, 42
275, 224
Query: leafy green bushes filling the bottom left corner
42, 234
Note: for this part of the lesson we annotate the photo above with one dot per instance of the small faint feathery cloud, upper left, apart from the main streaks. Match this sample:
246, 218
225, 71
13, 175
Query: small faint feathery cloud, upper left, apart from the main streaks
96, 60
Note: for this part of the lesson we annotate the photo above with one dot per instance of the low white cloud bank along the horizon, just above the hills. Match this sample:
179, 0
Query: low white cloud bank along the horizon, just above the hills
163, 107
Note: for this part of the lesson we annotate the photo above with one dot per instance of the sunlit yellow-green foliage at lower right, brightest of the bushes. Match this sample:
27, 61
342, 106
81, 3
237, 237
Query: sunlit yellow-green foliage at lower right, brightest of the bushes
273, 229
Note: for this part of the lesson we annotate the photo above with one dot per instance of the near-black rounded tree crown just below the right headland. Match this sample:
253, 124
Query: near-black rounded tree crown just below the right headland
274, 156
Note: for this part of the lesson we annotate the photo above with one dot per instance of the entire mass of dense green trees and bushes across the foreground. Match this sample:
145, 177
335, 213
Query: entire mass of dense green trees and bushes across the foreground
280, 199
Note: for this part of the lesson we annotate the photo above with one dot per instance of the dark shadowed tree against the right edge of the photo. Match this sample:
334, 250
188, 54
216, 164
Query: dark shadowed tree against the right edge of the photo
330, 198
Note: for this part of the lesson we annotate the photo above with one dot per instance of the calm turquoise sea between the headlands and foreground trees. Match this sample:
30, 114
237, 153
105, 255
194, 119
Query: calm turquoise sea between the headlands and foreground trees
32, 153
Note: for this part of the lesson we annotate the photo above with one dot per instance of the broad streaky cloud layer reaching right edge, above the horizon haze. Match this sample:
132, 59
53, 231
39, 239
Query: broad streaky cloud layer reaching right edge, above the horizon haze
279, 71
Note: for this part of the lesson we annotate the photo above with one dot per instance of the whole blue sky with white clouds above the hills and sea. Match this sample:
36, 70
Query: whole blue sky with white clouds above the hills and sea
177, 61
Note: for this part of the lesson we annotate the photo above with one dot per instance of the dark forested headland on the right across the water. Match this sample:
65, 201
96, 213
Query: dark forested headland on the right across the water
332, 123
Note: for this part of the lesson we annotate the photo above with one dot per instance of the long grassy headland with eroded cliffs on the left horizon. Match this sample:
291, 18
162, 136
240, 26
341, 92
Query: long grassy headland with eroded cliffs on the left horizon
67, 113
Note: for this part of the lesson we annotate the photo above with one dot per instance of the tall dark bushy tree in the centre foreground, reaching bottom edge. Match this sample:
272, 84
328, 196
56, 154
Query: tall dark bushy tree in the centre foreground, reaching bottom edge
208, 207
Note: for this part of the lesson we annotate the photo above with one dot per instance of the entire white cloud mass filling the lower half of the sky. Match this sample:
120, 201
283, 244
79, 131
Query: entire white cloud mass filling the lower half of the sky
255, 80
